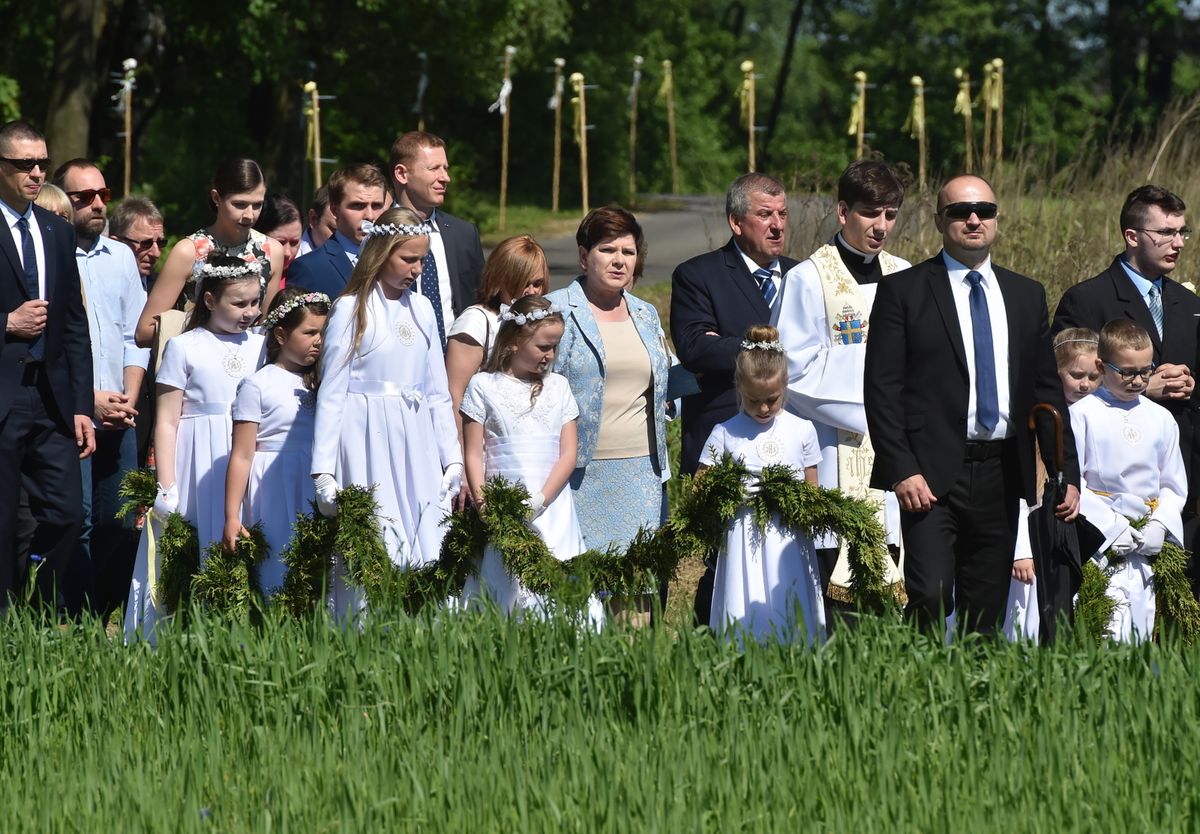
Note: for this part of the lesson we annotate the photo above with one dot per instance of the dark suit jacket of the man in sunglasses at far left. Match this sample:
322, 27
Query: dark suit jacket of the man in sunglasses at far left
68, 346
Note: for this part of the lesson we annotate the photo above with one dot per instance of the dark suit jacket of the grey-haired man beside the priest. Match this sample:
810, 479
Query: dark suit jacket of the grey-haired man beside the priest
713, 292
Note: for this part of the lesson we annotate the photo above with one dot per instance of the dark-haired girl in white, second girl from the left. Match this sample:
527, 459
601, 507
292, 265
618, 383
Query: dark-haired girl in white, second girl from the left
273, 427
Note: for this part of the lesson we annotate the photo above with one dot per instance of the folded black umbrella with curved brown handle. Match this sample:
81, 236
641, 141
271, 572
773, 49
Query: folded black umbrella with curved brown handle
1059, 548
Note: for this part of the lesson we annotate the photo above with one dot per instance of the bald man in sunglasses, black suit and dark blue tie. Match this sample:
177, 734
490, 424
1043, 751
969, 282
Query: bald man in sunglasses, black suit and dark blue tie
959, 353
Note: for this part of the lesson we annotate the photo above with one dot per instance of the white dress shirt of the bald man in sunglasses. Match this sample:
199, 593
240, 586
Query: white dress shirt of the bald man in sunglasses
962, 291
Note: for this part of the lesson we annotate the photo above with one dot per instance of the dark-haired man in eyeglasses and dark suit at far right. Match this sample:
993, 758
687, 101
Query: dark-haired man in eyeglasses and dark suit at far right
1137, 287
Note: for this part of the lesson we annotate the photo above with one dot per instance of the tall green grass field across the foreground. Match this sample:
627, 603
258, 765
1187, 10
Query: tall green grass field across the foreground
478, 724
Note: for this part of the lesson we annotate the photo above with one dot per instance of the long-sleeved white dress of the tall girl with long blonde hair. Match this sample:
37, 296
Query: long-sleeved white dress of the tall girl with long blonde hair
385, 419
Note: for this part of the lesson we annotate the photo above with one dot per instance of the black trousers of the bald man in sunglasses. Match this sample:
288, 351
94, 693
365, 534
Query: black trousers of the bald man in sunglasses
959, 556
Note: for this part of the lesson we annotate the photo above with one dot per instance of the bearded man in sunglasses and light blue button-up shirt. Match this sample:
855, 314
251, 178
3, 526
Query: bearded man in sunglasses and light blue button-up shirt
113, 301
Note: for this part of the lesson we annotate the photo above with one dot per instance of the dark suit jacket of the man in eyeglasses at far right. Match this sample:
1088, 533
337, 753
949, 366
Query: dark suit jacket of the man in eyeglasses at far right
1112, 296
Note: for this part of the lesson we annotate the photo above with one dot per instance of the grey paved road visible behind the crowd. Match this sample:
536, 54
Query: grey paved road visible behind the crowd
671, 238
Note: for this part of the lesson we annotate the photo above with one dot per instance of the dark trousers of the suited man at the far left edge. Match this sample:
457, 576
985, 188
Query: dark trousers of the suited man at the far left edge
38, 454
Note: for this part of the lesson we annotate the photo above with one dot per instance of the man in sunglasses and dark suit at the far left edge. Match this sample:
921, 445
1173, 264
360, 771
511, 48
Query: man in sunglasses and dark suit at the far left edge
46, 385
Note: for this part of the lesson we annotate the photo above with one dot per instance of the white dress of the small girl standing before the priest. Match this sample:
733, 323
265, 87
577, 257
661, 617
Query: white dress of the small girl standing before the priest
766, 577
